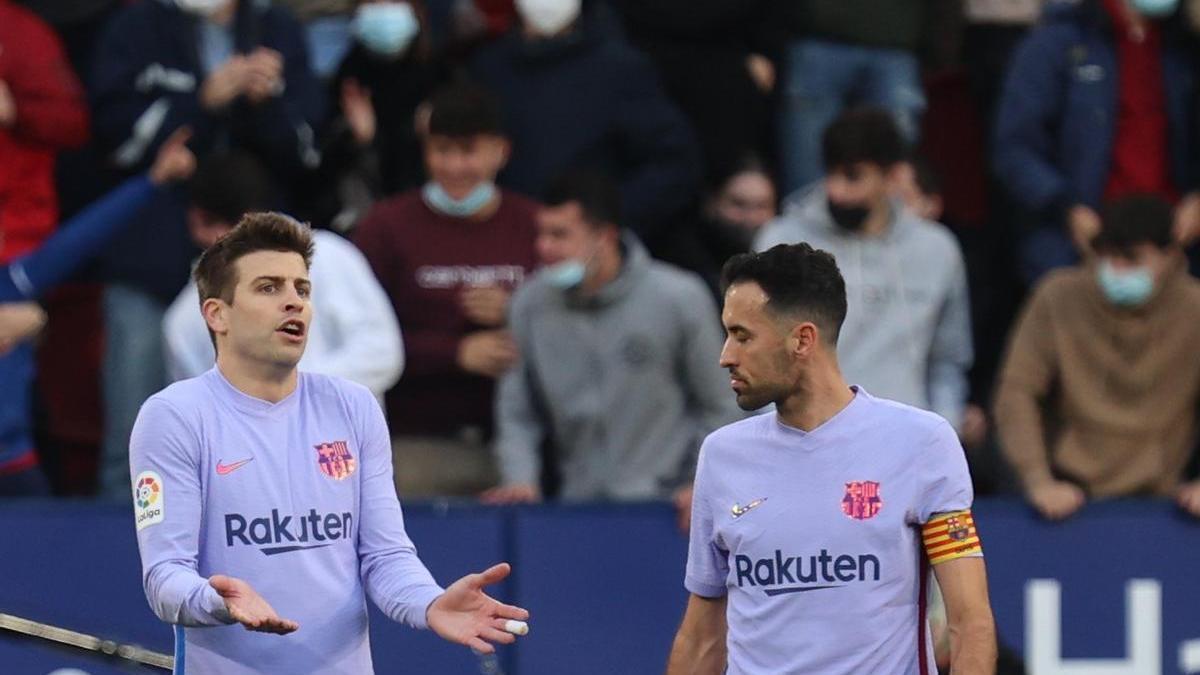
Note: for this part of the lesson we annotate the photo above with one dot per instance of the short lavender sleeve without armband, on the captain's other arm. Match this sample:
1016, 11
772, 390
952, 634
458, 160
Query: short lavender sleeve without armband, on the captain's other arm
709, 565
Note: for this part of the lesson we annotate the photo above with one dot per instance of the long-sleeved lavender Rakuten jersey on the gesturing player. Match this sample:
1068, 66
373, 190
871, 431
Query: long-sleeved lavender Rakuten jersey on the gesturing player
295, 498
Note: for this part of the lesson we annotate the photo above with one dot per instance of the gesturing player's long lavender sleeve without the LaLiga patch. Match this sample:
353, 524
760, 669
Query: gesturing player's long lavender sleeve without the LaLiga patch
395, 578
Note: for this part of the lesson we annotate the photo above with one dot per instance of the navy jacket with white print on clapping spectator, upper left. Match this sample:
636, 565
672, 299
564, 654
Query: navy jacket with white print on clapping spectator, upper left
146, 83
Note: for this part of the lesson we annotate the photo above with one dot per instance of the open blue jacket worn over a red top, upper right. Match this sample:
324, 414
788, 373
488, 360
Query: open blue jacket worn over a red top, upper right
1057, 122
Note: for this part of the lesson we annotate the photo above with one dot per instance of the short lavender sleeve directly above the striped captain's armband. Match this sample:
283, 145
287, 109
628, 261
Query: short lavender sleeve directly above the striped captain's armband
945, 479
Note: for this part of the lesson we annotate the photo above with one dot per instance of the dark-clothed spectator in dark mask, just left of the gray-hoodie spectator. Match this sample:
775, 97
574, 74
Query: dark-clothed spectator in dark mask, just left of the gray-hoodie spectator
741, 201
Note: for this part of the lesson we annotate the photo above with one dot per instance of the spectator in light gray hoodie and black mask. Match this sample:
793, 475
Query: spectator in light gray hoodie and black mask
908, 333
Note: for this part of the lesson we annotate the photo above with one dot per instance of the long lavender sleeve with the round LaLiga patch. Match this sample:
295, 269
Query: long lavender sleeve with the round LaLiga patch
164, 465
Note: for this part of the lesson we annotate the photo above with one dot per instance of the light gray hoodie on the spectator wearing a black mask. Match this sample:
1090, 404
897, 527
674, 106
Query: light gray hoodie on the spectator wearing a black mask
908, 332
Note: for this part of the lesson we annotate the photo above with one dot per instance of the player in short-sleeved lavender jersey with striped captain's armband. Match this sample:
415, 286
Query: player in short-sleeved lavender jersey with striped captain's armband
814, 527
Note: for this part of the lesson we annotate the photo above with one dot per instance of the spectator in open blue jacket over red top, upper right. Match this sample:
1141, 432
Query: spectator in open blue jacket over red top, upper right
1099, 104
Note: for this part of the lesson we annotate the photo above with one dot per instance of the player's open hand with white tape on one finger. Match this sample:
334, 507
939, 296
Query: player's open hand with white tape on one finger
466, 616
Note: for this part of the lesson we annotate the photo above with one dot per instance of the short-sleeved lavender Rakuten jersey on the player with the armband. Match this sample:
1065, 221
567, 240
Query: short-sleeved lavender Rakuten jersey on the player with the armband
814, 537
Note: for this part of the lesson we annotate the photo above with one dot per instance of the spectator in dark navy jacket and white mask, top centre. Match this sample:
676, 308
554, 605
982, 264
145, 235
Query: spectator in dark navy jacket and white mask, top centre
575, 94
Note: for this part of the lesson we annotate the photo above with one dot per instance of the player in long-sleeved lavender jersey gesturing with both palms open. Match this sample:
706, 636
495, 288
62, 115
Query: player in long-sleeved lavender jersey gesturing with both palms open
265, 497
